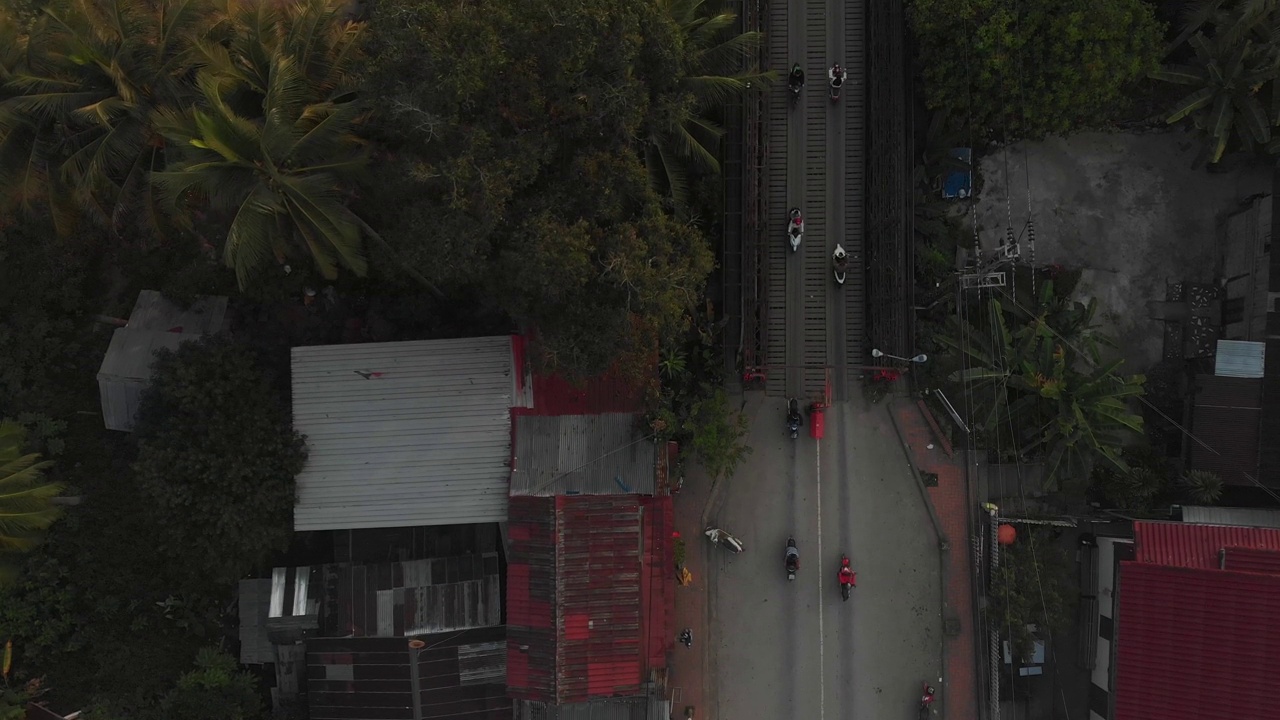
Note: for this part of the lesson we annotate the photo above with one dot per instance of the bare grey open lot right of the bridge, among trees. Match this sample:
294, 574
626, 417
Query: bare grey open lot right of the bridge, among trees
1130, 211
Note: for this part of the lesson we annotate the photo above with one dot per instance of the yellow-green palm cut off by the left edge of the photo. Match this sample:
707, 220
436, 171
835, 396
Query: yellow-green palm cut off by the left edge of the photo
26, 502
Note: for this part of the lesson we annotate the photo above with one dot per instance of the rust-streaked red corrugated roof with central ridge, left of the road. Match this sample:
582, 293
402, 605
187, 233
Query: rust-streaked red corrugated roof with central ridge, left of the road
592, 648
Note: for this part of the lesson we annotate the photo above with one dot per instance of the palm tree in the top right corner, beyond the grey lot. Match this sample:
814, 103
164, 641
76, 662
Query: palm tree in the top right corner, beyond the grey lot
1227, 79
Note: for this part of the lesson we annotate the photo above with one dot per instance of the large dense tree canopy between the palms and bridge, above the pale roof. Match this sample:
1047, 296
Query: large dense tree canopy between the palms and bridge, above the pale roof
514, 165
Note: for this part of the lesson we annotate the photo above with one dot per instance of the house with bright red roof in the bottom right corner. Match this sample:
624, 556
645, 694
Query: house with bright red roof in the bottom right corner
1188, 623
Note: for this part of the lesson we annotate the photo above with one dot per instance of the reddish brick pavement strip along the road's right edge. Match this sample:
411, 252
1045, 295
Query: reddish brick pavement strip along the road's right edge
950, 512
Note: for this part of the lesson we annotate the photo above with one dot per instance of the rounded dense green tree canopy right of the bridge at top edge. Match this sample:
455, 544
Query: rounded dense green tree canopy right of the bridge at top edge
1036, 67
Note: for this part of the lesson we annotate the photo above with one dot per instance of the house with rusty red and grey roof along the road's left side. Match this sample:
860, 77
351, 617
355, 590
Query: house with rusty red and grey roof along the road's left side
591, 577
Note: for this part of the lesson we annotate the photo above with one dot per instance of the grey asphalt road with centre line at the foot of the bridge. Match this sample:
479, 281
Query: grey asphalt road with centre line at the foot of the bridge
794, 649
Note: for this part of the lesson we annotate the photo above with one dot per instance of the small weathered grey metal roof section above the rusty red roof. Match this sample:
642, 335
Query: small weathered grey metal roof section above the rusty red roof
583, 455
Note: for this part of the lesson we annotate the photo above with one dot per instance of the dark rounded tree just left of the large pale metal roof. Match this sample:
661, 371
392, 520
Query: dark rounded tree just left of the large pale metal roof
217, 455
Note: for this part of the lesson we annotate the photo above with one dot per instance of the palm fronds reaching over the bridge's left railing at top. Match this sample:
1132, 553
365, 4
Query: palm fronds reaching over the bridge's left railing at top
716, 69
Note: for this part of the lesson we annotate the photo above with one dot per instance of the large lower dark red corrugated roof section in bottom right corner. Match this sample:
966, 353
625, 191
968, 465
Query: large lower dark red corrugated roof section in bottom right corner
1196, 645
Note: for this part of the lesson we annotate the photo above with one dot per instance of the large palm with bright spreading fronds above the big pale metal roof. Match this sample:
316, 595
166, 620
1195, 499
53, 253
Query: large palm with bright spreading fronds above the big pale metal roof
281, 177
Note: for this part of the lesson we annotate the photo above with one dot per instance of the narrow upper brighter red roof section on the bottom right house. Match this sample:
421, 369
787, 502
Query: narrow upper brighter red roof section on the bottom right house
1196, 546
